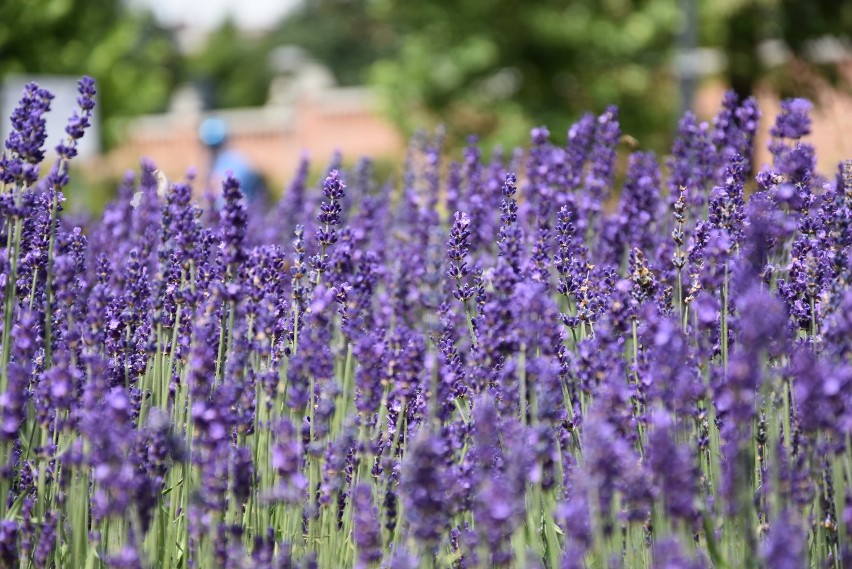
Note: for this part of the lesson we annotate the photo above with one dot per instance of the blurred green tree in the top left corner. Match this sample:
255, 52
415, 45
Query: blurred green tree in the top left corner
134, 60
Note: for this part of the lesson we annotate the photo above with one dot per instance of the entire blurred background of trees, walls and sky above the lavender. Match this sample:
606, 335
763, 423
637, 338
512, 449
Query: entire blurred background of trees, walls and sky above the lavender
360, 76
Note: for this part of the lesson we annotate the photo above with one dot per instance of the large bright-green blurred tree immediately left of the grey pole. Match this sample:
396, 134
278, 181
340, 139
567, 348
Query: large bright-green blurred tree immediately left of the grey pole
498, 66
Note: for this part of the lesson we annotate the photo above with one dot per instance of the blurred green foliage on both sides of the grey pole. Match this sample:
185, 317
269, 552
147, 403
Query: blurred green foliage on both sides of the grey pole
498, 66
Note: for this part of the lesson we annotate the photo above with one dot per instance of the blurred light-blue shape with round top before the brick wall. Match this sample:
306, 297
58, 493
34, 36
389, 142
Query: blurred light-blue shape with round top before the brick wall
213, 132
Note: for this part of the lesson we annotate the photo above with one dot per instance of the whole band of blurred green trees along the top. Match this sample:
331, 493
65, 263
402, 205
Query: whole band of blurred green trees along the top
491, 67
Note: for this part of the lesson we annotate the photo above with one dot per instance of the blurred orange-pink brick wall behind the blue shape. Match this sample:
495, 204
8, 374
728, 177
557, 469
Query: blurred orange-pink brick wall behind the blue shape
272, 138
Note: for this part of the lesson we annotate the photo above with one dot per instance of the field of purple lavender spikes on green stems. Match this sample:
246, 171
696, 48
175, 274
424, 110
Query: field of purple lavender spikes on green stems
530, 359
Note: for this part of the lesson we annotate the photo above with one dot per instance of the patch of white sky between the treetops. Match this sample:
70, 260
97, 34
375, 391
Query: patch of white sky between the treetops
207, 14
